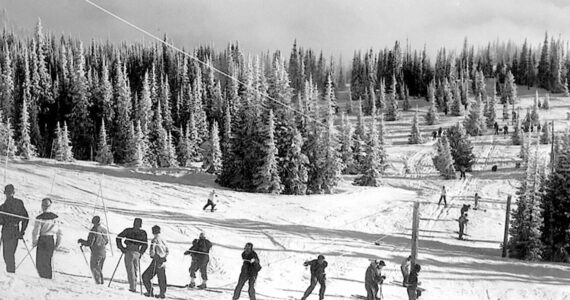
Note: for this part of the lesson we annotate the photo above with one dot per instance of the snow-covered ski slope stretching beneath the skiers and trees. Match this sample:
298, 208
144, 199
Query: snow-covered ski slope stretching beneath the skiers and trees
287, 230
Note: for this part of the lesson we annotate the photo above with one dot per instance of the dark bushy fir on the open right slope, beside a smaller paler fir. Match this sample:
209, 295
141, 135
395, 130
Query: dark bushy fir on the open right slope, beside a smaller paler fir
461, 148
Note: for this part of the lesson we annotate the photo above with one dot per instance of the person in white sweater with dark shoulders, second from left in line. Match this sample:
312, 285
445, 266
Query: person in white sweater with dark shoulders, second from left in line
45, 229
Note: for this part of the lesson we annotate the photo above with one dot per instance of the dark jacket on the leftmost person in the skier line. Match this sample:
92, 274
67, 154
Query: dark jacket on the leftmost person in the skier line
10, 228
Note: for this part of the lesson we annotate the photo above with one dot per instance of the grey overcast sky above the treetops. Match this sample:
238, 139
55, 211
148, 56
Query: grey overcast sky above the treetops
334, 26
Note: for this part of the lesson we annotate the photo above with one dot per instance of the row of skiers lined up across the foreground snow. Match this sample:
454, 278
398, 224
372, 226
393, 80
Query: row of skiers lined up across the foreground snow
133, 243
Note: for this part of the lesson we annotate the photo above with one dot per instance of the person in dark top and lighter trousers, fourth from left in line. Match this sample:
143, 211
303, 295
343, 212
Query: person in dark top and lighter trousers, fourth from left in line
135, 246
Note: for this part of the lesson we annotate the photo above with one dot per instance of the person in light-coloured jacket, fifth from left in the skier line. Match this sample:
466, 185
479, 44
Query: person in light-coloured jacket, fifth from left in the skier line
158, 253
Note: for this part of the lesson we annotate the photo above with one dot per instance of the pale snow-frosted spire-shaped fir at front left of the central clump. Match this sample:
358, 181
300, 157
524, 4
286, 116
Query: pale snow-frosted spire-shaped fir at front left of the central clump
266, 179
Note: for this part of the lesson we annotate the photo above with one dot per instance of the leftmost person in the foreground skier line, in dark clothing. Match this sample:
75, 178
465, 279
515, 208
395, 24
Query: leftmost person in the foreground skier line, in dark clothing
11, 230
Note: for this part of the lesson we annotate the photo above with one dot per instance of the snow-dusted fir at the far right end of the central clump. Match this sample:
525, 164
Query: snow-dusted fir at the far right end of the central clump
372, 168
